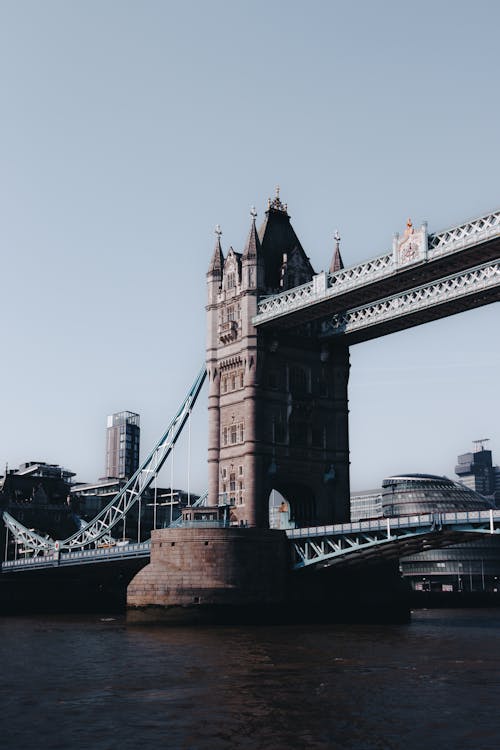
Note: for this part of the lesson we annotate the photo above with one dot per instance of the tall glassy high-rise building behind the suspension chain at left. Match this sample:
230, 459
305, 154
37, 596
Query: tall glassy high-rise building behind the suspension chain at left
122, 444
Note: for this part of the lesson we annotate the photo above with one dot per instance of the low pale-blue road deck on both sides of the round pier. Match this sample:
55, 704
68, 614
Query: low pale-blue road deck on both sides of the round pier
339, 545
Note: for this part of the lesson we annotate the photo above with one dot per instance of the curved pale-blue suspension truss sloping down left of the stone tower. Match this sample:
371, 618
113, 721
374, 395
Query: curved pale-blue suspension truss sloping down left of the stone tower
100, 527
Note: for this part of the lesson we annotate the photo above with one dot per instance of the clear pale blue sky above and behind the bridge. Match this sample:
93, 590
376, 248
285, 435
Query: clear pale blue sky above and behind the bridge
129, 129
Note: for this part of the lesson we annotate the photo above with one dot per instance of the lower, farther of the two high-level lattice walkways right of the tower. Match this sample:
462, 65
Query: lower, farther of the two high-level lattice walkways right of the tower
472, 283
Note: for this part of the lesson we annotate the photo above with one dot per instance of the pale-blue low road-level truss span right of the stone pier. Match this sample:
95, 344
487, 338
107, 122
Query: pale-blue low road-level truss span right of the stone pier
387, 538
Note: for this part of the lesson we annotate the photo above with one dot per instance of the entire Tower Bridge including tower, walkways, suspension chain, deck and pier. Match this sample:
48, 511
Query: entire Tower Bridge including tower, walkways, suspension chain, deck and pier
277, 365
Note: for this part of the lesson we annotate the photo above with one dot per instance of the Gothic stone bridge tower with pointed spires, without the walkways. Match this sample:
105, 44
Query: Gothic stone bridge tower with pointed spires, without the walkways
278, 416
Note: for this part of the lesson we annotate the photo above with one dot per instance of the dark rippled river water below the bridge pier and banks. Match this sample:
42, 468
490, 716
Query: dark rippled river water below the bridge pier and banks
95, 683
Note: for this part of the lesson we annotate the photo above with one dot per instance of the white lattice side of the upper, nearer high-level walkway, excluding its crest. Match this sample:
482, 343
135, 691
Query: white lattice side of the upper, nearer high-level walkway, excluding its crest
328, 285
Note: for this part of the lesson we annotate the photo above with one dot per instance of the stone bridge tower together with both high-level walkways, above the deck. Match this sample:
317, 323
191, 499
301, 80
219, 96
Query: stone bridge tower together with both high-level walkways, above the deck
278, 351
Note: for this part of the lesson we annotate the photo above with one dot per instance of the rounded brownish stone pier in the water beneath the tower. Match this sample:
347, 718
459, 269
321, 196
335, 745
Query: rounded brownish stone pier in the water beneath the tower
204, 575
